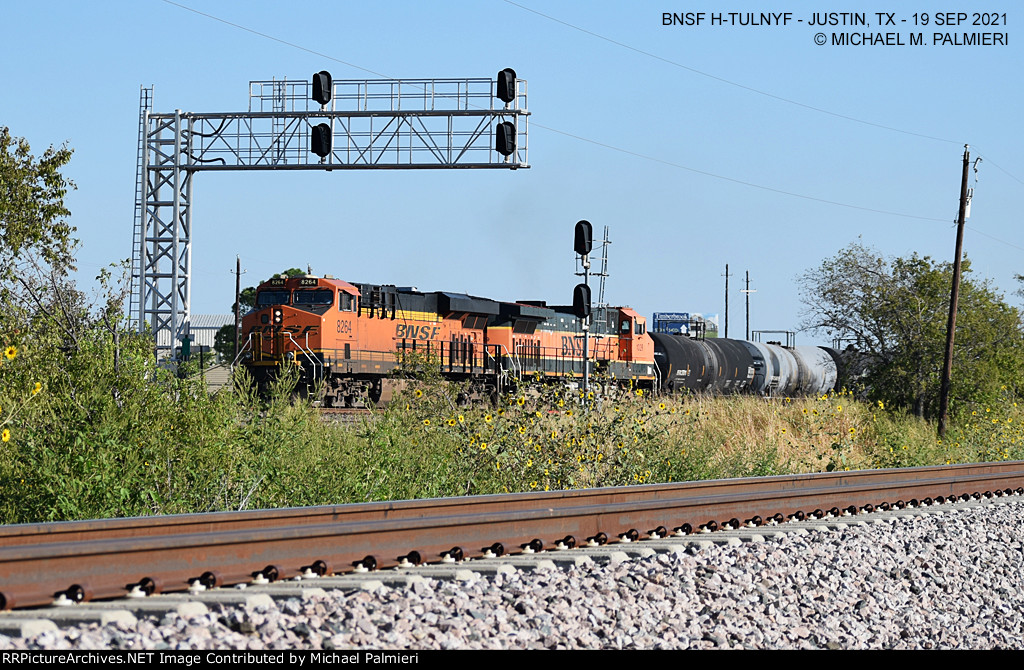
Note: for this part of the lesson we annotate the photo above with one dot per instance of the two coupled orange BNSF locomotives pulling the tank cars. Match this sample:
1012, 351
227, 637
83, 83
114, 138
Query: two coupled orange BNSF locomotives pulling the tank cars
352, 338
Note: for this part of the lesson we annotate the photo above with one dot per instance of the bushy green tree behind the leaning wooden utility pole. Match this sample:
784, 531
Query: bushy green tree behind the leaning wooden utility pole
895, 312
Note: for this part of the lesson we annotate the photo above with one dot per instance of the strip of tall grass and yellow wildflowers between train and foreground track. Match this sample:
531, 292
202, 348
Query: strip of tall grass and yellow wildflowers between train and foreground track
139, 441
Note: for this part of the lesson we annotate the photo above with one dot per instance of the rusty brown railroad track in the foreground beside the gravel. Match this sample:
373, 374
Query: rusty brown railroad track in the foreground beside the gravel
84, 561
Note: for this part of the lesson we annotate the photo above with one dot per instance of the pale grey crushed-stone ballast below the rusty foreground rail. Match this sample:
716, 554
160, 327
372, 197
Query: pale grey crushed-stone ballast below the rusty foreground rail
942, 581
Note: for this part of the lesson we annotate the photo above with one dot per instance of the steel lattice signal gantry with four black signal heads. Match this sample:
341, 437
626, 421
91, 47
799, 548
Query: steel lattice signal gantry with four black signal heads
304, 125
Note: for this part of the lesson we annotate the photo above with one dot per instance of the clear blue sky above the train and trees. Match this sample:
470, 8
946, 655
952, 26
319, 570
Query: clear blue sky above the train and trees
610, 73
